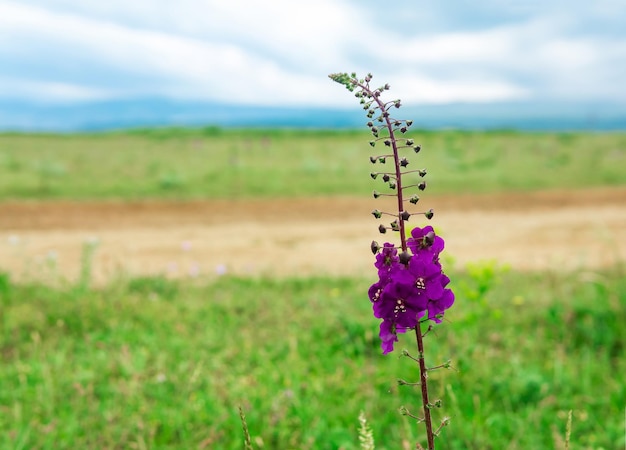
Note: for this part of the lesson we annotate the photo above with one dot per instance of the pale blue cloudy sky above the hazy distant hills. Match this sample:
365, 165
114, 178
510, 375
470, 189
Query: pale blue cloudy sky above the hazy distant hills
279, 52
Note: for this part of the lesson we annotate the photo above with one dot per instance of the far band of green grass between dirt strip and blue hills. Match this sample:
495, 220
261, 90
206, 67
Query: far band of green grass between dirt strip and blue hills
214, 163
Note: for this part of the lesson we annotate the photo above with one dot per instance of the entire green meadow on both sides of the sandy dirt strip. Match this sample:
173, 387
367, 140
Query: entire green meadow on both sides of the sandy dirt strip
154, 363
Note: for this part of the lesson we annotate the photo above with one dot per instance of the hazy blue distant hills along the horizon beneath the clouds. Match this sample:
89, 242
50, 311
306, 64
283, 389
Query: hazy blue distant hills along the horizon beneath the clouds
121, 114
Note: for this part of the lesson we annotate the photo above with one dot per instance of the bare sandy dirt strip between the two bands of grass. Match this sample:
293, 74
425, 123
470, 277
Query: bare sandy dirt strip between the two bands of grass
544, 230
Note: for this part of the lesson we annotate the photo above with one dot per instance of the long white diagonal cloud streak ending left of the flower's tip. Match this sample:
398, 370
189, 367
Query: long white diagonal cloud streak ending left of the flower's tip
186, 67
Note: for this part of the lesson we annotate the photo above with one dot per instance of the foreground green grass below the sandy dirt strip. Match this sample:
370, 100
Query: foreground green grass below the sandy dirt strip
152, 363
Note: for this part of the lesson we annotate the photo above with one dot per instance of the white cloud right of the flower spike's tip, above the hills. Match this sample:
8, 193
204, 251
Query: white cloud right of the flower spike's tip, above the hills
539, 58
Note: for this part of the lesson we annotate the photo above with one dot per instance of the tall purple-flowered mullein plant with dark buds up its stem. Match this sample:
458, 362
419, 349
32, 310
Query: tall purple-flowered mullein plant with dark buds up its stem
411, 291
